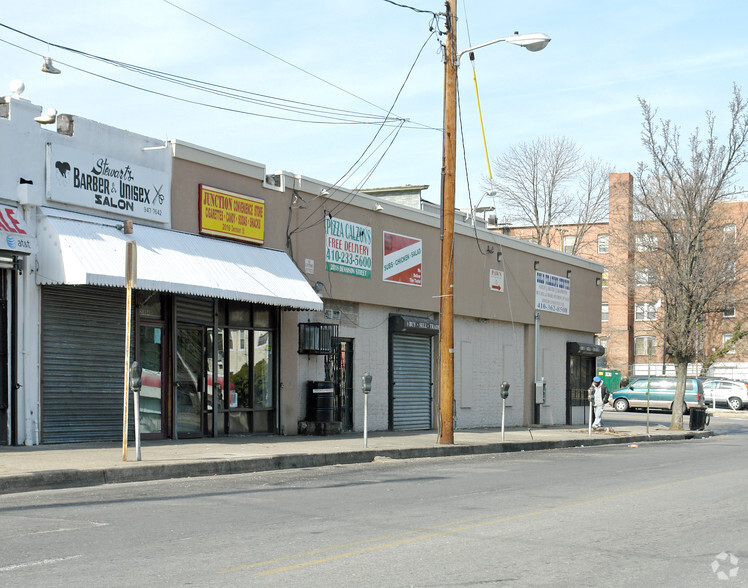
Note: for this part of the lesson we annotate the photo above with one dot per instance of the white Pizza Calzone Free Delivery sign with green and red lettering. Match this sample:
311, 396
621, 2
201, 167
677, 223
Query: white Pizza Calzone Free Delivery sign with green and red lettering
347, 247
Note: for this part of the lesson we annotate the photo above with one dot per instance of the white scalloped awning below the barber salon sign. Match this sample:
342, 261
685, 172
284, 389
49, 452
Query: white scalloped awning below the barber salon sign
89, 250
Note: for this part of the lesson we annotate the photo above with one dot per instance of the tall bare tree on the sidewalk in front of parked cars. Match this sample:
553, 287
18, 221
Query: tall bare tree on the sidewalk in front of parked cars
693, 264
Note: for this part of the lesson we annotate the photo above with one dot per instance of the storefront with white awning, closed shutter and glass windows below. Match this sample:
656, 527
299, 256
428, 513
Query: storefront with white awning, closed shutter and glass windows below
205, 318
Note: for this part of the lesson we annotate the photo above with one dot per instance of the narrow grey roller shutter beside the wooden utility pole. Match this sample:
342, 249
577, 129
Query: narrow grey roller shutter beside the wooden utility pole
411, 377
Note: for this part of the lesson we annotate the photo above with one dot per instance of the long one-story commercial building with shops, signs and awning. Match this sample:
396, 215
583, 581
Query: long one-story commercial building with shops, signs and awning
258, 298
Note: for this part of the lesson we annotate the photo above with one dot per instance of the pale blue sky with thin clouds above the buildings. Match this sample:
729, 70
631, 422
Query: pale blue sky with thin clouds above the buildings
372, 56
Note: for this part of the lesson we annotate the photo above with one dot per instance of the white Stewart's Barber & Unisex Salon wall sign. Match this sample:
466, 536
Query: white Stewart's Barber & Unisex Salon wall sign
107, 185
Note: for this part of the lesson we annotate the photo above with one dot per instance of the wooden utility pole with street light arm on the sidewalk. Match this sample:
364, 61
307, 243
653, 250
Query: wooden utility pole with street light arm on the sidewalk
532, 42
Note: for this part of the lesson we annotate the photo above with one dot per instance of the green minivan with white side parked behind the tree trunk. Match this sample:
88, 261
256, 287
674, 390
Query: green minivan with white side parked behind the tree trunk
661, 394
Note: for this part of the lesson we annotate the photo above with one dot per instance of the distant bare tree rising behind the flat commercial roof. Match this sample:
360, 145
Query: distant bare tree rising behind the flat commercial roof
546, 183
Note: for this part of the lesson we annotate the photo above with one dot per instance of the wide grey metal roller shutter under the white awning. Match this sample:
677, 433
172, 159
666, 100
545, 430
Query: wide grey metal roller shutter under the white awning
83, 335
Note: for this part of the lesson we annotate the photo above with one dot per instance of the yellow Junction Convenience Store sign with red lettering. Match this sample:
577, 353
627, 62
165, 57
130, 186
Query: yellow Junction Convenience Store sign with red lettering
226, 214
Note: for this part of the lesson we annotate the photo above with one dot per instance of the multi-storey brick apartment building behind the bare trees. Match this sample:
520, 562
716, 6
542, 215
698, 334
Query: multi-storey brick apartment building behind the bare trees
630, 310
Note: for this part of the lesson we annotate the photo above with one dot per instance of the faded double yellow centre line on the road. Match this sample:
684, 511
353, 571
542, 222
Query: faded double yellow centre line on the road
431, 532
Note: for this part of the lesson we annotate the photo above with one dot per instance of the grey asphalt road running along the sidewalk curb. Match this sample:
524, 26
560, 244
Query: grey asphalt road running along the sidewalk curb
667, 513
